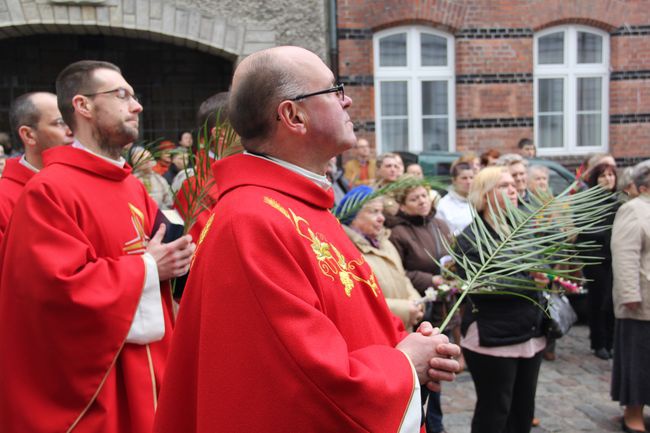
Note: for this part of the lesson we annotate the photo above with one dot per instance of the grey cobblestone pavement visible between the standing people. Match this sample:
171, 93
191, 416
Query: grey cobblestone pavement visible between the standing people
572, 393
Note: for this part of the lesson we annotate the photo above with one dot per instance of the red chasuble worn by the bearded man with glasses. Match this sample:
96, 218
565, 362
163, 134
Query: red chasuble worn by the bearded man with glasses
72, 277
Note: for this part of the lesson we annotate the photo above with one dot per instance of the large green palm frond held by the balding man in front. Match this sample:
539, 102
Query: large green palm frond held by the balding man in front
530, 240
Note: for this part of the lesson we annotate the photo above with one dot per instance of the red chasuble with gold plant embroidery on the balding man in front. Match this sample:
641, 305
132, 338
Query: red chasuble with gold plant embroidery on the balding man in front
282, 327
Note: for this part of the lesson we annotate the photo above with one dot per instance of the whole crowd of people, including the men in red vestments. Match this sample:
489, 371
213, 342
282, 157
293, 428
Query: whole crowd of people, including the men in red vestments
283, 302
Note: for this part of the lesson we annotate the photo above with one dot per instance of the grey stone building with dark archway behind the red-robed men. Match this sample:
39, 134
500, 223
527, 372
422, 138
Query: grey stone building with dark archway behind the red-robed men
174, 53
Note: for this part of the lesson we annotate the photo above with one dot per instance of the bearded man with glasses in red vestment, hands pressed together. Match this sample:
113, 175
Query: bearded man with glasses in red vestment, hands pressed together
86, 324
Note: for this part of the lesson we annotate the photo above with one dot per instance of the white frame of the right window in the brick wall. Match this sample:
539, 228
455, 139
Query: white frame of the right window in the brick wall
570, 71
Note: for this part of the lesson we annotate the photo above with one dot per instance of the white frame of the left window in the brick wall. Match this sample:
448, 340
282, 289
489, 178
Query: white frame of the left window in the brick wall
414, 75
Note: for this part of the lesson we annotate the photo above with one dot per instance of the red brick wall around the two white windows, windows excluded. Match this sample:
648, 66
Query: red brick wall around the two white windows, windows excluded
630, 53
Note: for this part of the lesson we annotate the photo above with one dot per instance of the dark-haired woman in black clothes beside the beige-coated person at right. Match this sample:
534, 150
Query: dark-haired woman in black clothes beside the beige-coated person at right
599, 275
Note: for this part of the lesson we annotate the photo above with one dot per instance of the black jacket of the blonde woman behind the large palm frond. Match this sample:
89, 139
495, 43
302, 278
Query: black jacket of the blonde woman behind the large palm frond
502, 320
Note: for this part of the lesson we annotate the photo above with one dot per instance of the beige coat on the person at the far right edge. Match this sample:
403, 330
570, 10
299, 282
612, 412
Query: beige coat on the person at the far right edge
631, 258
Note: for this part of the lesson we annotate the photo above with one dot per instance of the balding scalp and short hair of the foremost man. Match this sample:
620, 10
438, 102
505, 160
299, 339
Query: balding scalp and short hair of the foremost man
261, 81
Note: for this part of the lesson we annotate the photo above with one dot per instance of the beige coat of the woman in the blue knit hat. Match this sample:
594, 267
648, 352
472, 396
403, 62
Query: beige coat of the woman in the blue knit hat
386, 263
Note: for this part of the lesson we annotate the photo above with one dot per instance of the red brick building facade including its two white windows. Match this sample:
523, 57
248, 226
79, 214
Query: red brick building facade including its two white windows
468, 75
